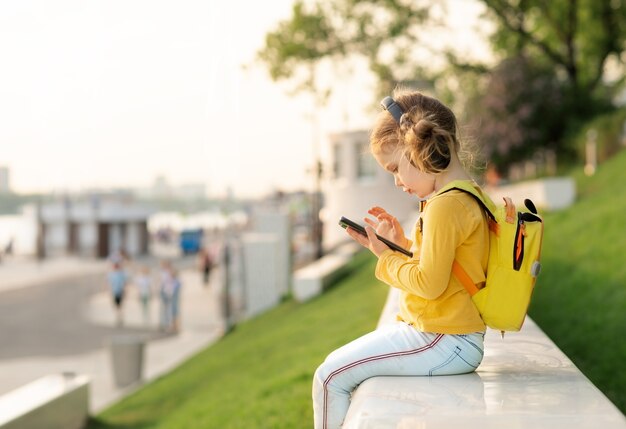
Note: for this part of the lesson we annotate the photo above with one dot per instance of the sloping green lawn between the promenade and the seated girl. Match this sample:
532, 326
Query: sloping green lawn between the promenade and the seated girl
260, 374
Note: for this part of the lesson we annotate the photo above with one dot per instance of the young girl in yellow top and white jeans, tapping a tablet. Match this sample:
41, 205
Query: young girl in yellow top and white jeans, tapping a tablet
438, 330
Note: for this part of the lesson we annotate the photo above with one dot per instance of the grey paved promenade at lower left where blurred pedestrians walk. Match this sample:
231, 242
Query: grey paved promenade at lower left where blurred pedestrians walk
62, 320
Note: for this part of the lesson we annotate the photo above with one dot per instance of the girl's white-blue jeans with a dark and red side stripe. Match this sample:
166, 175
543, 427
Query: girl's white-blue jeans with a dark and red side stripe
395, 349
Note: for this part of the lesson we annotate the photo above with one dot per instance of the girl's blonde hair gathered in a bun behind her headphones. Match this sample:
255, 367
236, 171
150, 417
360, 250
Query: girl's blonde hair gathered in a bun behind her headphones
427, 133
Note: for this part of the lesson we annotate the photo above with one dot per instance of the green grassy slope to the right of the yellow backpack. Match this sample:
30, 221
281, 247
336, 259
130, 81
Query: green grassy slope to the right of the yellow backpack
580, 298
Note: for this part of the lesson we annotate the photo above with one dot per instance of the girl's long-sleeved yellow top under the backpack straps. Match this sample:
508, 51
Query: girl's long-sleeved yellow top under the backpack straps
432, 299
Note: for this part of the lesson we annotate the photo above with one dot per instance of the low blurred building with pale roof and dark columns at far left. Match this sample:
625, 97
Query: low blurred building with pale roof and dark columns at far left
93, 228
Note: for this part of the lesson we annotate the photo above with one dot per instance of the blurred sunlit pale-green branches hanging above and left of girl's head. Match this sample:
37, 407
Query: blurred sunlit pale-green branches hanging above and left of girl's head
383, 32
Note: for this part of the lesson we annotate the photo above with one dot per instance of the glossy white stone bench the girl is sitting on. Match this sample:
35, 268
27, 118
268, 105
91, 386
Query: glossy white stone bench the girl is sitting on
524, 381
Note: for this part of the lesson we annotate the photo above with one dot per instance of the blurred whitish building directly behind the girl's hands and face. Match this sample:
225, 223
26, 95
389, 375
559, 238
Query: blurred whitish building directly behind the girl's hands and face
355, 184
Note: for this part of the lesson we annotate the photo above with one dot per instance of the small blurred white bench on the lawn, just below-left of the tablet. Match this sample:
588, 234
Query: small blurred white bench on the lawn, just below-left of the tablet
311, 280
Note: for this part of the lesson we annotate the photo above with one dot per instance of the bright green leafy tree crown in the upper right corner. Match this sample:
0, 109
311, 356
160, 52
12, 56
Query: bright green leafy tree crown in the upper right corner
576, 37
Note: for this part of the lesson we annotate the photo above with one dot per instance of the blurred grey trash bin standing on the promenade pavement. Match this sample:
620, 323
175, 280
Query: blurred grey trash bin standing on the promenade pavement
126, 359
